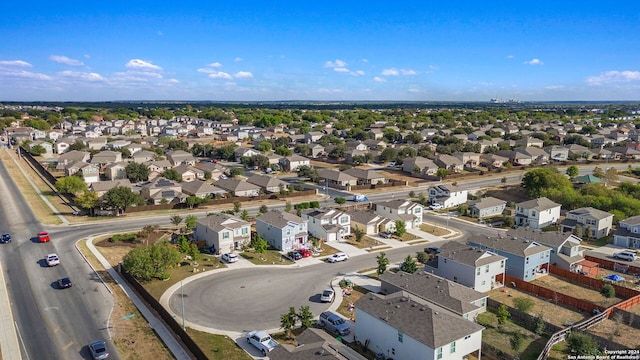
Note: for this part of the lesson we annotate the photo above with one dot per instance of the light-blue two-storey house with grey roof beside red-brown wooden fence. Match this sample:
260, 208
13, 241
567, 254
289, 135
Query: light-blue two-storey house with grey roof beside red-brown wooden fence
526, 258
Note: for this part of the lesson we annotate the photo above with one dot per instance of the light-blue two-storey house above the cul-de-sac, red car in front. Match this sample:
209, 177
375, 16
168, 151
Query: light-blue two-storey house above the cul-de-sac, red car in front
282, 230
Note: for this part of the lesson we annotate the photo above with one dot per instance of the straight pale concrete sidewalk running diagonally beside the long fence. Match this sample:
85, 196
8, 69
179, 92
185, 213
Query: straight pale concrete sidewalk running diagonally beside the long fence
156, 324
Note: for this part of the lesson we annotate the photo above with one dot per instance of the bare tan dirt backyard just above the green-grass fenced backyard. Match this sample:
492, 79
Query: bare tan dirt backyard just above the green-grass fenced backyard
553, 313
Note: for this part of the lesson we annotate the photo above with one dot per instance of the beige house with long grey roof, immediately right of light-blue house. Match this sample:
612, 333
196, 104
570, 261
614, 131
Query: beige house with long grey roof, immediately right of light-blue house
565, 248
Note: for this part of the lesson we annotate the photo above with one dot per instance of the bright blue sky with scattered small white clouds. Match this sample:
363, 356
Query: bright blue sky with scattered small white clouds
304, 50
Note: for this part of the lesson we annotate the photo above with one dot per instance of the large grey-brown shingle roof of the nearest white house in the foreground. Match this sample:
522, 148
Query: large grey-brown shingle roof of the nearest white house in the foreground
429, 326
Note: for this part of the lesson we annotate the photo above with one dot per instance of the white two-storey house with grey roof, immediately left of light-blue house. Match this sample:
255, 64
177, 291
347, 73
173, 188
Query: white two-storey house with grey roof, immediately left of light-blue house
478, 269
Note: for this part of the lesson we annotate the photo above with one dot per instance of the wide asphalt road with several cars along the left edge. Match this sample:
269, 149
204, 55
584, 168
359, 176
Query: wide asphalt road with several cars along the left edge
51, 323
